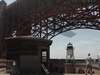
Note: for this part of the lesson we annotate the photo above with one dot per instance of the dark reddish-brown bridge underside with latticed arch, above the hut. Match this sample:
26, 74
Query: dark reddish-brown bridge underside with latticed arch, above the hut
48, 18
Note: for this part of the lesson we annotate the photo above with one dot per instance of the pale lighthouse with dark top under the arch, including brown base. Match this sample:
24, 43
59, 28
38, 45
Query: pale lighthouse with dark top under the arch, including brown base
70, 63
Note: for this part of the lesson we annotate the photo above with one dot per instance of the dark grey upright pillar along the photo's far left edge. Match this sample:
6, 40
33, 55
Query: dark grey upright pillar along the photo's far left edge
2, 30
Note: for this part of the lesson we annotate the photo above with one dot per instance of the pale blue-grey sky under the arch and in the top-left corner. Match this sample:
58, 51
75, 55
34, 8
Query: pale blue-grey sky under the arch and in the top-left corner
84, 41
